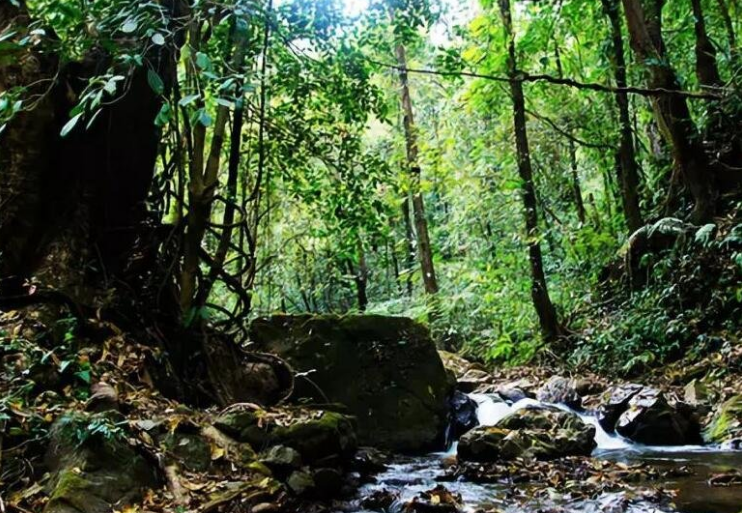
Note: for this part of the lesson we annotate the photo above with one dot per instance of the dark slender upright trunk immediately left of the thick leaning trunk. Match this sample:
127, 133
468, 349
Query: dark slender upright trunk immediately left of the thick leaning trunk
628, 169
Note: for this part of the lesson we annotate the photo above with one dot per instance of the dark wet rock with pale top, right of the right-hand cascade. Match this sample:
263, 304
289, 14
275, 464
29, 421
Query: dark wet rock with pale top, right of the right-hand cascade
651, 420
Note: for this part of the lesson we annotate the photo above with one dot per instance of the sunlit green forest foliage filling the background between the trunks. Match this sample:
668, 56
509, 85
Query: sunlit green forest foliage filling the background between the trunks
321, 183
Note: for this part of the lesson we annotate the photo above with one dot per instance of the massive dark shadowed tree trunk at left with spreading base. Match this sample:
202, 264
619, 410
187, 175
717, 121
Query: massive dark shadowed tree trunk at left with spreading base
91, 239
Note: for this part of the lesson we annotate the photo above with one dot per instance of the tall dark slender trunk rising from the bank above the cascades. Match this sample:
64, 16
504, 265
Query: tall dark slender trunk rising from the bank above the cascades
539, 291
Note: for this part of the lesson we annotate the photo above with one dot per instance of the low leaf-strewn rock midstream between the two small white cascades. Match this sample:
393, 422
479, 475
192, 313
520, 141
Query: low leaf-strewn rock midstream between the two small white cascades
536, 433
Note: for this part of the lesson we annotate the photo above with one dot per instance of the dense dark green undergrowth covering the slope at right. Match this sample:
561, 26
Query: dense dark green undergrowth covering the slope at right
688, 302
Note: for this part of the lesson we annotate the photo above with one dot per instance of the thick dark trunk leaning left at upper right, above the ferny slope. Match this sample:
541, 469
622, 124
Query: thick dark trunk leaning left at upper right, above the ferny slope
644, 19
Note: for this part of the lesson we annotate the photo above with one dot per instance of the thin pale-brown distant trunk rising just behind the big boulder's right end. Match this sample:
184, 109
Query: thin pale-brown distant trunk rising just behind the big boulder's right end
424, 249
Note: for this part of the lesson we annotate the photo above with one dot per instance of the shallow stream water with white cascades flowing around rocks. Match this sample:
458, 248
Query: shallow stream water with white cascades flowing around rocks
409, 476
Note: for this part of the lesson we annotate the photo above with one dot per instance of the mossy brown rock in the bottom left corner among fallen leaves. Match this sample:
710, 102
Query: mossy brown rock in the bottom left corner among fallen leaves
93, 472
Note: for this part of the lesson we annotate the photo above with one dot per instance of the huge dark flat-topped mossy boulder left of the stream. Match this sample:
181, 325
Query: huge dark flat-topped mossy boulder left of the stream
384, 370
